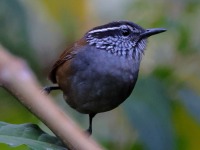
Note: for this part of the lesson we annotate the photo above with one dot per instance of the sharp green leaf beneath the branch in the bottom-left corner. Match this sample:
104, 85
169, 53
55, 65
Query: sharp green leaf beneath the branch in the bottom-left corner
30, 135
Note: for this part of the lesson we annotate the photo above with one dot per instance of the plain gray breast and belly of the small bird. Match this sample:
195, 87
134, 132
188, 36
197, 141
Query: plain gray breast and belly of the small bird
101, 81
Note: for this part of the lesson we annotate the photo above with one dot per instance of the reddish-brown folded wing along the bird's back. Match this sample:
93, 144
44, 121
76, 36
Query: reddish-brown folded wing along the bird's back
67, 55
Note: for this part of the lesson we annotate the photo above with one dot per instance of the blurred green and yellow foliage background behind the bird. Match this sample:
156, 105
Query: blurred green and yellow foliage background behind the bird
163, 112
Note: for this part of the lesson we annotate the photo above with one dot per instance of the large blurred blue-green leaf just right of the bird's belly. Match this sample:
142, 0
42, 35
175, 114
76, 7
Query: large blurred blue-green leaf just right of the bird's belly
149, 112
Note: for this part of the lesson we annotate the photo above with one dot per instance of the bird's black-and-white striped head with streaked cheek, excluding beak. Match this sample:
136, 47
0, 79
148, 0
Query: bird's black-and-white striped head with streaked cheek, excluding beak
120, 38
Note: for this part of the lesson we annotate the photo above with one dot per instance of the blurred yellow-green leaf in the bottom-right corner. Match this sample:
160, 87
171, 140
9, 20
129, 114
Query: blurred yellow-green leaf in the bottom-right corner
187, 129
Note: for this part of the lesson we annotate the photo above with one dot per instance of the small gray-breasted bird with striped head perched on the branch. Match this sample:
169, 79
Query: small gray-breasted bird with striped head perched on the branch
99, 71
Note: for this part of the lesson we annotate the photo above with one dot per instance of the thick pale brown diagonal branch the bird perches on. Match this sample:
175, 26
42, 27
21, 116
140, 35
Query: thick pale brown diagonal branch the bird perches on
18, 79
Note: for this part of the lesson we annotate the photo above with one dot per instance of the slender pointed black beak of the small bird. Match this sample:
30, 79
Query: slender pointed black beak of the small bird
149, 32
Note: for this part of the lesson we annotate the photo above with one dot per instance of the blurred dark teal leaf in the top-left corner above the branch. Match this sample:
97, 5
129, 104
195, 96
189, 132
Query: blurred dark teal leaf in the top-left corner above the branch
14, 33
